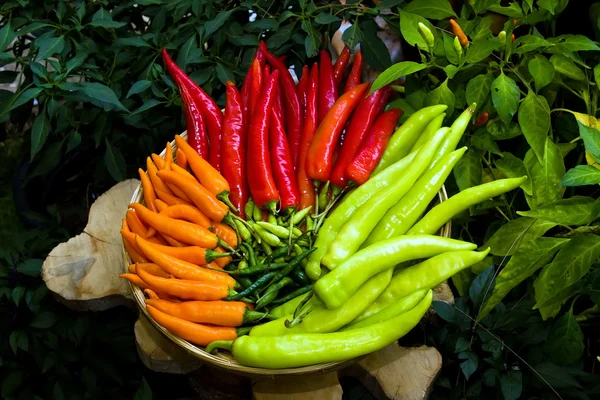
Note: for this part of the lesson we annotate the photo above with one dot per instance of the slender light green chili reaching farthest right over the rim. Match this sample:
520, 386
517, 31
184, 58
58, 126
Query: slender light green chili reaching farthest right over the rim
439, 215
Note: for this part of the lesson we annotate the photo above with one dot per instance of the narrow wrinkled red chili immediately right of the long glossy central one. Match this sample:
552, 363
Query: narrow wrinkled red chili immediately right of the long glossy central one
281, 160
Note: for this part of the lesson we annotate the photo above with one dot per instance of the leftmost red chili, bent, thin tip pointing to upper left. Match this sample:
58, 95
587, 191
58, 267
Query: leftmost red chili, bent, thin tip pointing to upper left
210, 111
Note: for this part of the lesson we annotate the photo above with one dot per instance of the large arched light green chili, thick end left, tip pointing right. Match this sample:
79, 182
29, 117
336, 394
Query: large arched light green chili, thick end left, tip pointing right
341, 283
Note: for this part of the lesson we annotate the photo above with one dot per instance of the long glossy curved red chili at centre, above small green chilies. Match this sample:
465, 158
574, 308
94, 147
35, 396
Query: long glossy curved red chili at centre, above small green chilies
262, 185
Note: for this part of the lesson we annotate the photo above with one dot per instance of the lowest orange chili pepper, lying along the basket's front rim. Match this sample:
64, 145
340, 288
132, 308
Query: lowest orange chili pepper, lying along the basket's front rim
198, 334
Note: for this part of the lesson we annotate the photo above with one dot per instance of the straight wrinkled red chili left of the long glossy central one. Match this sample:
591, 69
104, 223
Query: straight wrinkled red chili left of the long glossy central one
234, 149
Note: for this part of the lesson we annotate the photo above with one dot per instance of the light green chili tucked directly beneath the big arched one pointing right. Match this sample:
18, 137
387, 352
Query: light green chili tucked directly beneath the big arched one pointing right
427, 275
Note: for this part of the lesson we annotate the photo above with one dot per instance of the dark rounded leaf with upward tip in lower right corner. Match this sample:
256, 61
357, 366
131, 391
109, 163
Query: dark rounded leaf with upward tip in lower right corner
565, 342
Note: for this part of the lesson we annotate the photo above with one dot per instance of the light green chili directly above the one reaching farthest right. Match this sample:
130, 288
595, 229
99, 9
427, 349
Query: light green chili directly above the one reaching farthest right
402, 216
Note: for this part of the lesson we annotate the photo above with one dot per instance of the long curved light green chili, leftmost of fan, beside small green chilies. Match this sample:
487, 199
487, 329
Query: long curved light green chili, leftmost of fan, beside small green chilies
348, 207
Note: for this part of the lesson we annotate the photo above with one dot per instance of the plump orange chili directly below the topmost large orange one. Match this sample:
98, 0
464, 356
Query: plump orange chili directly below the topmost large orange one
201, 197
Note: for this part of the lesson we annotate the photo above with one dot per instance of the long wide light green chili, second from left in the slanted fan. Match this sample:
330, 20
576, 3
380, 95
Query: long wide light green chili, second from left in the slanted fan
355, 231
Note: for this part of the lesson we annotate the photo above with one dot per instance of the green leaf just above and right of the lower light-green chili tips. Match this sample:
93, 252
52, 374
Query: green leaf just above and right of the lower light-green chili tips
516, 234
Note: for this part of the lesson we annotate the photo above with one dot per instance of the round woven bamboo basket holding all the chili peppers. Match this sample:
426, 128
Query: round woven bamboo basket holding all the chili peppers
225, 360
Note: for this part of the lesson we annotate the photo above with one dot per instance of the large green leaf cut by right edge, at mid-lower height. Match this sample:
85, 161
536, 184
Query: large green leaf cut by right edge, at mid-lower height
571, 263
